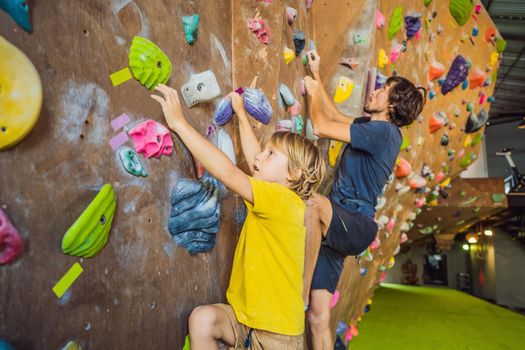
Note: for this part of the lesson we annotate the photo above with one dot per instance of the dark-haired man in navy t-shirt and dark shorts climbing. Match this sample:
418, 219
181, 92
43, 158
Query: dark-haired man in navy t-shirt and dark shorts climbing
343, 224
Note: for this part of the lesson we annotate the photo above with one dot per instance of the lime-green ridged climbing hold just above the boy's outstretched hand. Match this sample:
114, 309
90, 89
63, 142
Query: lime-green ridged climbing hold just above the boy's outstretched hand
150, 66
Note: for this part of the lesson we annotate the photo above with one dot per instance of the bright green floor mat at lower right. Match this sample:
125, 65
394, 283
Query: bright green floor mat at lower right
403, 317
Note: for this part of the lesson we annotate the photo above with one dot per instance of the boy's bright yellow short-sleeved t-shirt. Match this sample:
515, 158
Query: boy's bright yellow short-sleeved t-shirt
267, 275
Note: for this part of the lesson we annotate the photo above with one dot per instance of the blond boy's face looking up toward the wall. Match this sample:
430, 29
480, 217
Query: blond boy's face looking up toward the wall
271, 165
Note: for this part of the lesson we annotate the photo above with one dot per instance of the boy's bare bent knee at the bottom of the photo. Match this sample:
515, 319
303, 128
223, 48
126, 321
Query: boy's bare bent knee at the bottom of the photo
207, 324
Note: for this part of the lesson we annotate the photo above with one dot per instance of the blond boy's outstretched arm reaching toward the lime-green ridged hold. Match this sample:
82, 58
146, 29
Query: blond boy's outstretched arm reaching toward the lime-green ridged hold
212, 158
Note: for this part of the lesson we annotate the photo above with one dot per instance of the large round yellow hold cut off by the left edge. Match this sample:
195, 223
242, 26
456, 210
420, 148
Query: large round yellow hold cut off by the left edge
20, 95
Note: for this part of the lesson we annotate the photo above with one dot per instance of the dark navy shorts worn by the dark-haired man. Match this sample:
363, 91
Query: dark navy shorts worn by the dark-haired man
349, 233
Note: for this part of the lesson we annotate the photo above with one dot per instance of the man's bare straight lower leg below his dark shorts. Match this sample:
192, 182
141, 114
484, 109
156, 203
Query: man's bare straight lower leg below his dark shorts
319, 319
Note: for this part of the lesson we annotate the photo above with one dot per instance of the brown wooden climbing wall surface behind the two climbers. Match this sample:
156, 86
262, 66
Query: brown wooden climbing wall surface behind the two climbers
139, 290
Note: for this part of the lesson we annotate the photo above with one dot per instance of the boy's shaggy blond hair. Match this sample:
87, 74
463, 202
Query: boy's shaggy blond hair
305, 162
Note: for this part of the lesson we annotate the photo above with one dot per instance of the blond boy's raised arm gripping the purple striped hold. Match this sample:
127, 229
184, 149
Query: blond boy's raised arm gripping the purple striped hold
250, 146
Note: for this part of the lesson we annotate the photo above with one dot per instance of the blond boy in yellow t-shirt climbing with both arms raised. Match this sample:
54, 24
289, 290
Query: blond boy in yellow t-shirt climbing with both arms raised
266, 306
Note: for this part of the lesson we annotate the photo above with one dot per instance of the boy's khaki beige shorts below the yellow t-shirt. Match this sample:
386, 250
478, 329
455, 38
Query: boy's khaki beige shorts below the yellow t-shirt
260, 339
